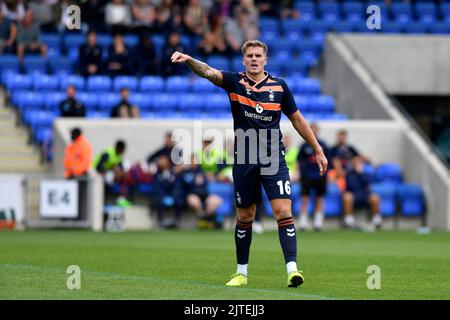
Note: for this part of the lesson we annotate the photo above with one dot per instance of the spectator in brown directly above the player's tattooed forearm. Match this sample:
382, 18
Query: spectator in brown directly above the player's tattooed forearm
214, 40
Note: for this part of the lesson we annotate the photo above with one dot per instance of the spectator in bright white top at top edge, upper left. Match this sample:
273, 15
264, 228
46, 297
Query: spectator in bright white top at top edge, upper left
117, 16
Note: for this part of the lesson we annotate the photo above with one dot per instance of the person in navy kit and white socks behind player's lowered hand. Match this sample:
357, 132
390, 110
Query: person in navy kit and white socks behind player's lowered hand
311, 180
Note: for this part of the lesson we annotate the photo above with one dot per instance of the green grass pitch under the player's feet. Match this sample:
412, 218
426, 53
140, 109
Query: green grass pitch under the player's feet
195, 265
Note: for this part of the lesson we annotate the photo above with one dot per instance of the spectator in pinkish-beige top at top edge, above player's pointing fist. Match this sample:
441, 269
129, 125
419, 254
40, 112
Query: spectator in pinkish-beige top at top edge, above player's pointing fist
195, 18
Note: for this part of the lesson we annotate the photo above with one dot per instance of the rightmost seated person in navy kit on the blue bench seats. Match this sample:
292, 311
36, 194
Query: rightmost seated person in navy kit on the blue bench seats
358, 195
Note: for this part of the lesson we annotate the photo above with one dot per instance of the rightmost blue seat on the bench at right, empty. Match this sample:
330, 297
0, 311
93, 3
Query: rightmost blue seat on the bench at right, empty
411, 199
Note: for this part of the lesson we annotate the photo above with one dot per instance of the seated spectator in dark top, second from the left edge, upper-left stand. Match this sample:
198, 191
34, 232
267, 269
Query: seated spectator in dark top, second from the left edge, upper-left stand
29, 38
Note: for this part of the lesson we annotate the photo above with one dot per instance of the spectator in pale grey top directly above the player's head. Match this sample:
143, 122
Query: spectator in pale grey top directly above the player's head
239, 30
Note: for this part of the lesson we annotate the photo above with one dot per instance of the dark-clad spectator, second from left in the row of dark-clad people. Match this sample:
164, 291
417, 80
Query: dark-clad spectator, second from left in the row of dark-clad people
119, 57
